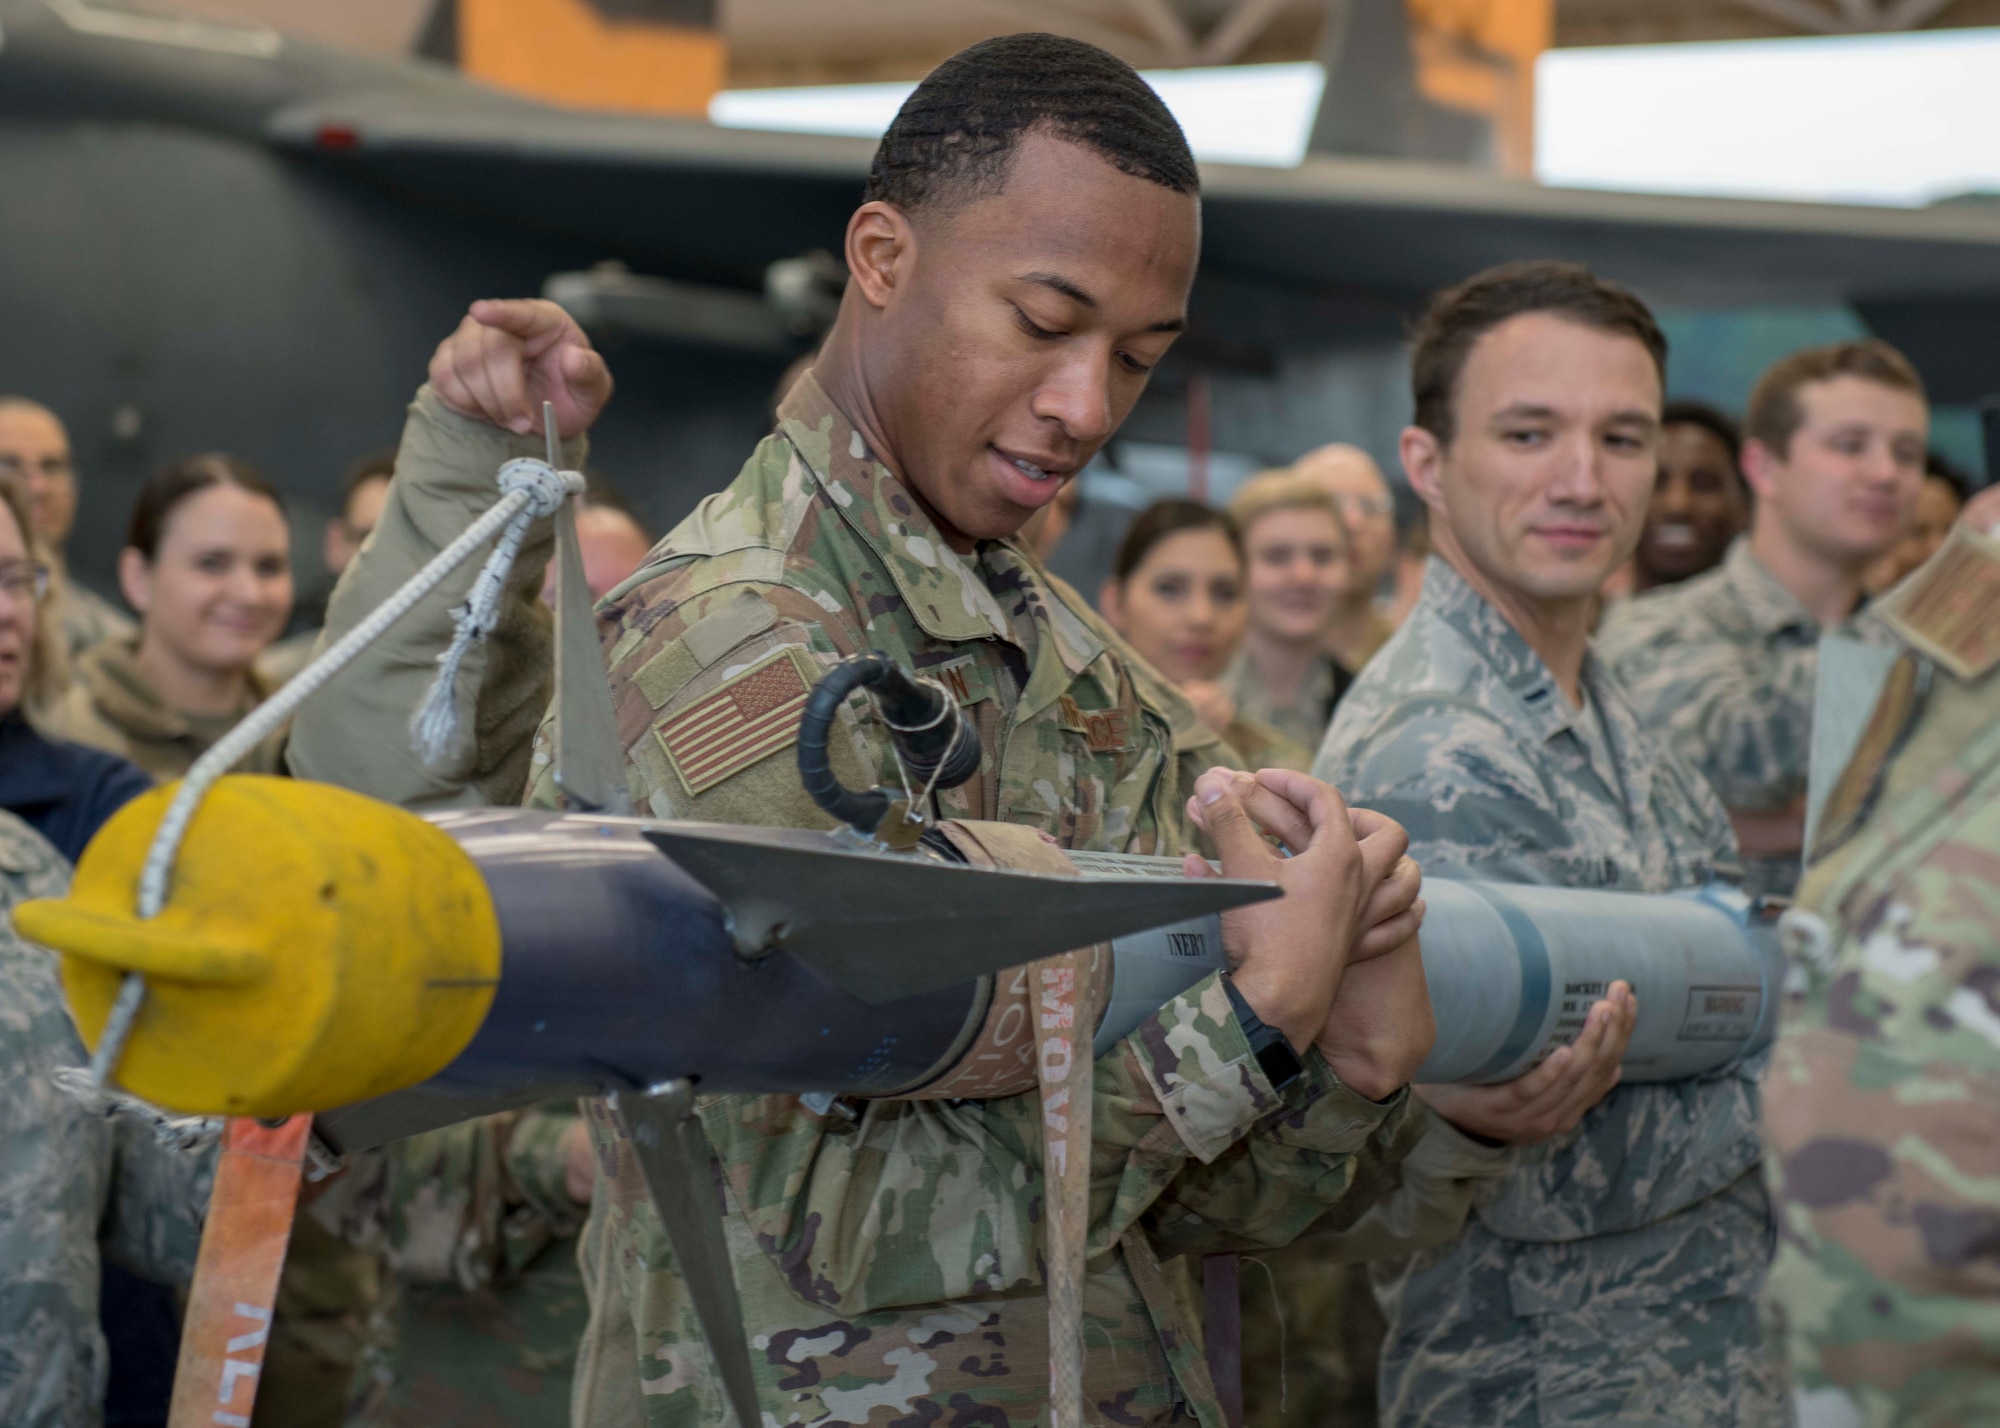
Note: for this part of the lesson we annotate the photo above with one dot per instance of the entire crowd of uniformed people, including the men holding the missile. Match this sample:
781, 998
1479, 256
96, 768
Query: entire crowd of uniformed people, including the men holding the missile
1807, 1237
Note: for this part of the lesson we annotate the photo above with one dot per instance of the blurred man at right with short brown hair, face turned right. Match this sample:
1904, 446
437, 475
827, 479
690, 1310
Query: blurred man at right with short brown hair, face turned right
1723, 667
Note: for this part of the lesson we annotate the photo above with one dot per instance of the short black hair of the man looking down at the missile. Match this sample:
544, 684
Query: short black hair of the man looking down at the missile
953, 141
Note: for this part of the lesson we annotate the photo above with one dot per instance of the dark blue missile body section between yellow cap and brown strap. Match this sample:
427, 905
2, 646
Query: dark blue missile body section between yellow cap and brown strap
621, 967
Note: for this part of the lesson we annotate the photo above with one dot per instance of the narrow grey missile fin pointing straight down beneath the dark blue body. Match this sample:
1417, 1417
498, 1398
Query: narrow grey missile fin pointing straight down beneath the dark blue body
673, 1157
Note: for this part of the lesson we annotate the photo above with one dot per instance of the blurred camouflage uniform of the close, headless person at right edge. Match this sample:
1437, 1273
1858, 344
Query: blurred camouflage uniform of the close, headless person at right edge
1883, 1099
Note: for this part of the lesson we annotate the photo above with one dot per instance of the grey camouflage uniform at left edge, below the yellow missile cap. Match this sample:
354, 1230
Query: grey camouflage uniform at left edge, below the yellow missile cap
73, 1183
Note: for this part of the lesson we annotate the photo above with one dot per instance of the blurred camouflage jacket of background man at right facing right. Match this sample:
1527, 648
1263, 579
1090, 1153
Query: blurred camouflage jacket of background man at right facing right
1723, 667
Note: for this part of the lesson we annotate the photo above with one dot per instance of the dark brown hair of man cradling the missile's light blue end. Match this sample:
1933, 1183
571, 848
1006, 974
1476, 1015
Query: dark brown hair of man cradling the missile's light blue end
1461, 317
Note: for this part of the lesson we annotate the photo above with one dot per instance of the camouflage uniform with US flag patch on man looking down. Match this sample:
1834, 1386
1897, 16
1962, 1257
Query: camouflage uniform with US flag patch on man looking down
891, 1263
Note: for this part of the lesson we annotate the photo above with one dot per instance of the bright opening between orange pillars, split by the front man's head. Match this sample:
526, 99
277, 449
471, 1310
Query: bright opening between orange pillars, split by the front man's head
1235, 115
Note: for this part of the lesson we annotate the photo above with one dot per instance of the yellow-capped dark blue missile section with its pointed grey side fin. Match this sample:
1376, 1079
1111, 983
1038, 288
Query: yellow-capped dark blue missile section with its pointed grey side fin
503, 957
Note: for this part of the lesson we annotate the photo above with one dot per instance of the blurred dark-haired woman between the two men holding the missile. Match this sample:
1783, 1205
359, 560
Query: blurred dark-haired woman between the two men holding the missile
1177, 595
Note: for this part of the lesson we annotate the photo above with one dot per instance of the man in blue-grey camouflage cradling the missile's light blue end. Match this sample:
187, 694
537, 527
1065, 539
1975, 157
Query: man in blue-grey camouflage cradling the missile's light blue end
1611, 1275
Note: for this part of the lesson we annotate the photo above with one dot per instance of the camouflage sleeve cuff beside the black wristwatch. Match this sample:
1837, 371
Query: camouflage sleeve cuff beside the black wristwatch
1197, 1059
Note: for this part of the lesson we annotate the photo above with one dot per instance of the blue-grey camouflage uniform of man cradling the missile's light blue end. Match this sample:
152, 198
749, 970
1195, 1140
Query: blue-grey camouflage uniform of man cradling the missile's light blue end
1613, 1275
